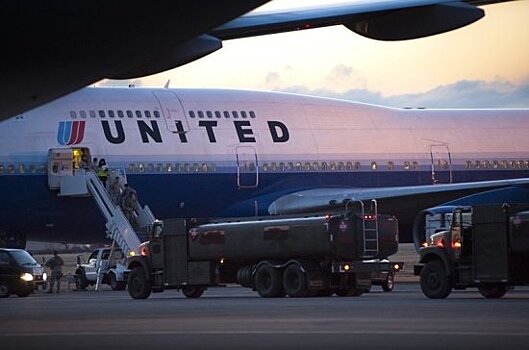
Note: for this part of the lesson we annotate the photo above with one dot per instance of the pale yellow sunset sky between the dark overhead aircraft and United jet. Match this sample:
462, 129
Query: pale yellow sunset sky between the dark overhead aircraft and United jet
485, 64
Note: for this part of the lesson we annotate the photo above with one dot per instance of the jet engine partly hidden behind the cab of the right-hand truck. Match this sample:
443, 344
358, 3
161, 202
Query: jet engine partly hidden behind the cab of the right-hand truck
431, 221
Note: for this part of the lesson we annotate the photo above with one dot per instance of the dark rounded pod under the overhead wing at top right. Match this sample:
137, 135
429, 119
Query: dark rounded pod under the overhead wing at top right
417, 22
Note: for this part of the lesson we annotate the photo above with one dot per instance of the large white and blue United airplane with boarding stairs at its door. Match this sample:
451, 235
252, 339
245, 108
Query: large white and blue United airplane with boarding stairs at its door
223, 152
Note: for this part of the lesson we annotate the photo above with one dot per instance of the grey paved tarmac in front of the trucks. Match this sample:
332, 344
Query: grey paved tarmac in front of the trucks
236, 318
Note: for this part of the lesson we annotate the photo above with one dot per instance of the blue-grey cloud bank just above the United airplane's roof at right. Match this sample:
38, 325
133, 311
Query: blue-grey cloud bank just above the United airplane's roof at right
461, 94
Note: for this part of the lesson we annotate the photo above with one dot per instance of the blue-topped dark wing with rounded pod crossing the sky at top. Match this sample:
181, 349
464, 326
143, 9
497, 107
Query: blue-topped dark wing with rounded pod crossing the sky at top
382, 20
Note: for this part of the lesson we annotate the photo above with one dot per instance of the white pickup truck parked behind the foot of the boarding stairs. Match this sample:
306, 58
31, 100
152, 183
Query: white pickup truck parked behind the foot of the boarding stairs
100, 262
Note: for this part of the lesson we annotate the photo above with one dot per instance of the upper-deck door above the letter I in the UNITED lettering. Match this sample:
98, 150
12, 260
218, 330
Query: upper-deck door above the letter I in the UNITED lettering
172, 111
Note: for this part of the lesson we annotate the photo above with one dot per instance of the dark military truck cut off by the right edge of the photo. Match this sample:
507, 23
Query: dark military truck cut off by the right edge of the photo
486, 246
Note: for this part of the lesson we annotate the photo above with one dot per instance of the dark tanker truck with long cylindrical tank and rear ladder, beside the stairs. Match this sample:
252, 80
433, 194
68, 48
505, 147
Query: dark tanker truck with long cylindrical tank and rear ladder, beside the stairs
298, 256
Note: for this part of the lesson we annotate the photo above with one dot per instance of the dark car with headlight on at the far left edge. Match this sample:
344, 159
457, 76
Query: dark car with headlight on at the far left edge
19, 273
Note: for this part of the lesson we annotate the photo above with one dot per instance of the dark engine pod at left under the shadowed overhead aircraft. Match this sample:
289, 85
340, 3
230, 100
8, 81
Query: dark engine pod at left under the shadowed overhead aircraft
184, 53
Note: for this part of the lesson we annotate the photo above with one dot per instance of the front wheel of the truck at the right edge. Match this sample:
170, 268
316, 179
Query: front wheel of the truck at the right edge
435, 283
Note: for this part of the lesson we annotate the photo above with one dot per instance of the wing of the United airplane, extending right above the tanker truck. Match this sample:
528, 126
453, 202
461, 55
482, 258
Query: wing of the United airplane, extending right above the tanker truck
404, 202
